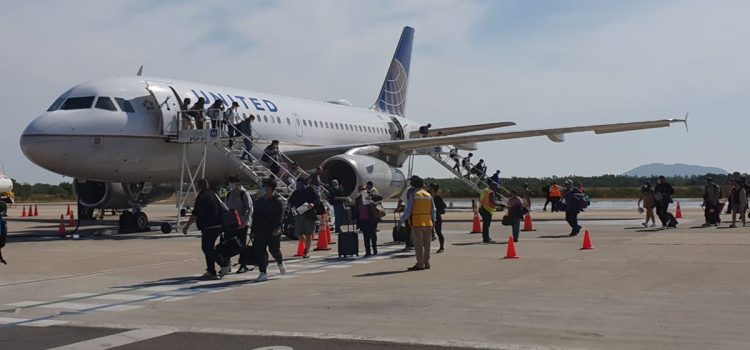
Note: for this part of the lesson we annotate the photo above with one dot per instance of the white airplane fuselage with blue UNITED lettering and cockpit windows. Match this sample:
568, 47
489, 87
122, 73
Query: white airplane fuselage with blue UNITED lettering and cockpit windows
92, 143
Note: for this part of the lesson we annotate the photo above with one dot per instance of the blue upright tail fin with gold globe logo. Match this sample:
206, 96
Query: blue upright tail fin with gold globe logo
392, 96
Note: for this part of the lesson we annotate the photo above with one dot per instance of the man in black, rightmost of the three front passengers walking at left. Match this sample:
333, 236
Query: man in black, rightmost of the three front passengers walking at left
266, 228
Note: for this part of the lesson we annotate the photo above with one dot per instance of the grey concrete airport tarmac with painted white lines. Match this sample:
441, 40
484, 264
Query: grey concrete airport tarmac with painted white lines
639, 288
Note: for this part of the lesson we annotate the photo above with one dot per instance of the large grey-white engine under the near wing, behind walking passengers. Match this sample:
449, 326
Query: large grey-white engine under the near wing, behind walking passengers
354, 170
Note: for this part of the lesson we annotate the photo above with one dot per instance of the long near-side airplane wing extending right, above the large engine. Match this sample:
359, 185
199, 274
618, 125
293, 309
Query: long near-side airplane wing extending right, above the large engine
555, 134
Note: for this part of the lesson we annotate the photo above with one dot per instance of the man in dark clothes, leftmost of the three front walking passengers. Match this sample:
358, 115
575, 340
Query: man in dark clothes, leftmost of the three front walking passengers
207, 216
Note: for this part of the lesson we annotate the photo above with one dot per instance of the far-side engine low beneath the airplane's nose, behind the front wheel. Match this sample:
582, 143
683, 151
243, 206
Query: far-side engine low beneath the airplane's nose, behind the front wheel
108, 195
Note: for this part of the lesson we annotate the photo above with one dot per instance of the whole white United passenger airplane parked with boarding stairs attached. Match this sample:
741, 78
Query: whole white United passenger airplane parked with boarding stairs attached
116, 136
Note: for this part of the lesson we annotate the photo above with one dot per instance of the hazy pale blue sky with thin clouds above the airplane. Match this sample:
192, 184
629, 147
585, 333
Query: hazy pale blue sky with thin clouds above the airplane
538, 63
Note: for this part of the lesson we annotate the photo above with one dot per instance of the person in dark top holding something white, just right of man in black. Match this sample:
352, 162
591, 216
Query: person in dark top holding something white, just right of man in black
303, 200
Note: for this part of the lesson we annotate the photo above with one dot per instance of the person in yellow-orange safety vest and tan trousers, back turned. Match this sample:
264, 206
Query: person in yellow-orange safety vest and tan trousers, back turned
420, 212
